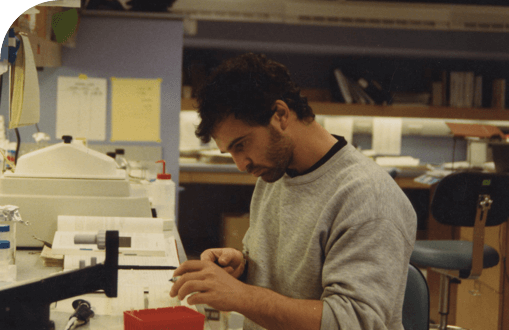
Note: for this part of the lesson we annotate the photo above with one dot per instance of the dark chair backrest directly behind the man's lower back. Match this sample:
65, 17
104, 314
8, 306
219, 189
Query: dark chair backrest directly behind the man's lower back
416, 303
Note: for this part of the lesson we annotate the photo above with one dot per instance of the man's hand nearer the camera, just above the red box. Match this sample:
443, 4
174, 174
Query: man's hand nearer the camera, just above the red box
210, 284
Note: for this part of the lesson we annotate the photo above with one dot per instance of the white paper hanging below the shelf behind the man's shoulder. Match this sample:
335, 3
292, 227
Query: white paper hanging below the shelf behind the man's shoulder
387, 136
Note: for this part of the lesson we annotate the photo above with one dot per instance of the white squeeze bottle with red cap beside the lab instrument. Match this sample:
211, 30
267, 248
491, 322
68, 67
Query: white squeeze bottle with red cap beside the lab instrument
162, 193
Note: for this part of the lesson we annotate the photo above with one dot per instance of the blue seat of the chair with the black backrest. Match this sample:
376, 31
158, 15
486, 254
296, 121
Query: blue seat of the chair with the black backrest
455, 255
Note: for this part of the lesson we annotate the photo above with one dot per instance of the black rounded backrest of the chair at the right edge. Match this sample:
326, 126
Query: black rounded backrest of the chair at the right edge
456, 197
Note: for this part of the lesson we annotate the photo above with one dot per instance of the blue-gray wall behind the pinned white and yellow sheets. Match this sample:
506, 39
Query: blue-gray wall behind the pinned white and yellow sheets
124, 48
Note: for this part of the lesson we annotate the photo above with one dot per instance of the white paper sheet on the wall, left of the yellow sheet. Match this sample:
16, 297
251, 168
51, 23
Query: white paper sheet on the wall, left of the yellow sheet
81, 107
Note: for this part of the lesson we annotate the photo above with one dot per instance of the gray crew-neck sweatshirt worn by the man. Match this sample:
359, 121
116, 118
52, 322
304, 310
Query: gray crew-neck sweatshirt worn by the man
342, 233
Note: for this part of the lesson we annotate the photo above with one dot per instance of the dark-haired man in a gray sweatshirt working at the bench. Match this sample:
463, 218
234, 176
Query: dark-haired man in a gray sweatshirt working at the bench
330, 233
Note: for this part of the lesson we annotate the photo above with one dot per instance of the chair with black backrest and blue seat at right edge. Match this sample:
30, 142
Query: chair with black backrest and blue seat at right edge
470, 199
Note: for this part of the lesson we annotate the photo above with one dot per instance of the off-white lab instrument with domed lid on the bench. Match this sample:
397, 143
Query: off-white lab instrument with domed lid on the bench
67, 179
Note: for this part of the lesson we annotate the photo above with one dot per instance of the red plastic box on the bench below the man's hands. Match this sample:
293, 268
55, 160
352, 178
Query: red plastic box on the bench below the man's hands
168, 318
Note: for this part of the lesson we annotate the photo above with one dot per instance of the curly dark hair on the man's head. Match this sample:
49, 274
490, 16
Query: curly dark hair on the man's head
247, 86
